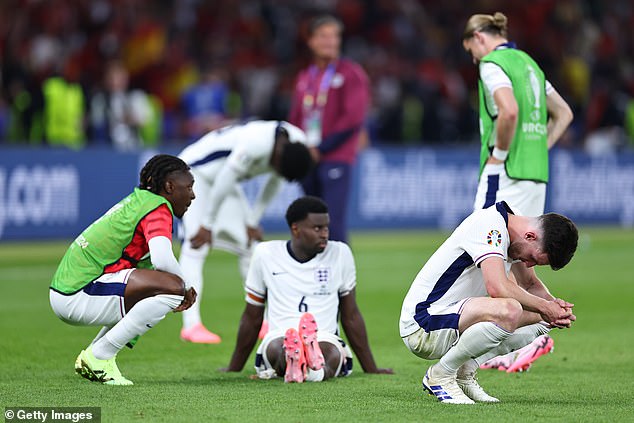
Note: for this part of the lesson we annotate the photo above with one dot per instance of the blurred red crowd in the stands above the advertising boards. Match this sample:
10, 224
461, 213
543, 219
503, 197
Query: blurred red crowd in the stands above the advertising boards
137, 73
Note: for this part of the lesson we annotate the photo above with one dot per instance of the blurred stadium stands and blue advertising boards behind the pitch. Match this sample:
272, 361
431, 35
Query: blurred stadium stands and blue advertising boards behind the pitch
421, 167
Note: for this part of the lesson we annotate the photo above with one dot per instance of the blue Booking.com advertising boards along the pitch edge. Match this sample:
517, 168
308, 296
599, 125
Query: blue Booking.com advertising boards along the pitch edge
55, 194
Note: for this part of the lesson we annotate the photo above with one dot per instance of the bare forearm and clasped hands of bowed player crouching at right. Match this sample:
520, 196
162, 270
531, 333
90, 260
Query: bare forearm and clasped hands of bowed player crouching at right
499, 286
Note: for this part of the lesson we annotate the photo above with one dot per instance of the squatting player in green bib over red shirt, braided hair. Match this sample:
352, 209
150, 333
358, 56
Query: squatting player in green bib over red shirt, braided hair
106, 276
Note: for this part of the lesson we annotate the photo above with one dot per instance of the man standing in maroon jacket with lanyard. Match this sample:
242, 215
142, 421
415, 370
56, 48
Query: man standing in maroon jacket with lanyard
330, 102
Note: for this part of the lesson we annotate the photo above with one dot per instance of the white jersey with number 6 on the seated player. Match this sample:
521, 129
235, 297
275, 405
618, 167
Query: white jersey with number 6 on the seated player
290, 288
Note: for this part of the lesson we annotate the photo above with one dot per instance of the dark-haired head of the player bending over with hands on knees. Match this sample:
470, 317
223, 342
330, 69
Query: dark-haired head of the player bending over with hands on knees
291, 159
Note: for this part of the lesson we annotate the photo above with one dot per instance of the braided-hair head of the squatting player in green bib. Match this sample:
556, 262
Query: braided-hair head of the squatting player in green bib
170, 177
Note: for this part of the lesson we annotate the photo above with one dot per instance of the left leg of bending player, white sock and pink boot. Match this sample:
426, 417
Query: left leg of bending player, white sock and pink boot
192, 262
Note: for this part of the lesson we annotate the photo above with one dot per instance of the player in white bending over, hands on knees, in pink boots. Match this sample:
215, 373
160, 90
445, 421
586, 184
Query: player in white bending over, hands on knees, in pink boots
221, 214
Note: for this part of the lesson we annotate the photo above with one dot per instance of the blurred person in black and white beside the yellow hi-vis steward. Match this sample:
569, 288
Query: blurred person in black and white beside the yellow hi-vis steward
117, 113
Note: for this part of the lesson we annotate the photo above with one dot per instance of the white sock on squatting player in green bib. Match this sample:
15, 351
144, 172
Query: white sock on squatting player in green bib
141, 318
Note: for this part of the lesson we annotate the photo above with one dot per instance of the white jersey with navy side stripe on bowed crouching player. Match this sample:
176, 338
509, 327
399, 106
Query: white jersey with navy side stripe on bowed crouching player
453, 272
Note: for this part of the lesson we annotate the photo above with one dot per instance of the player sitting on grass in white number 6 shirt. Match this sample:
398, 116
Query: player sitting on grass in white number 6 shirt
305, 283
